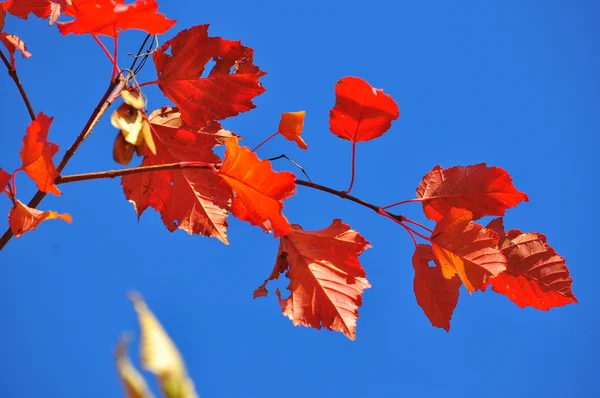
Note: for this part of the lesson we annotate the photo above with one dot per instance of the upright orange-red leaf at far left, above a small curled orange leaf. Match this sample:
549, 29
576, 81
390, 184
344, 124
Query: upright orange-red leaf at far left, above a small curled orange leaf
37, 153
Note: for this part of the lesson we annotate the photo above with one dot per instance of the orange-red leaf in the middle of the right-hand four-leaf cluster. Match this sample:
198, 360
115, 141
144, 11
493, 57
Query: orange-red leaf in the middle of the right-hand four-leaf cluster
467, 249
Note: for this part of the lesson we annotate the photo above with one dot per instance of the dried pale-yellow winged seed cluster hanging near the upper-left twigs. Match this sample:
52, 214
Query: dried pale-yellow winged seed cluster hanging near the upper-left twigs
135, 133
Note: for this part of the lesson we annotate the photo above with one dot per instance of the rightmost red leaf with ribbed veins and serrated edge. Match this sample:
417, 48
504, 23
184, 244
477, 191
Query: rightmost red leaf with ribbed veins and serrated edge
535, 274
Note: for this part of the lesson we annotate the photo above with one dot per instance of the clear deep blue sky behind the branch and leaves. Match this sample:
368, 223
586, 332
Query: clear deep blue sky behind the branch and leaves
511, 83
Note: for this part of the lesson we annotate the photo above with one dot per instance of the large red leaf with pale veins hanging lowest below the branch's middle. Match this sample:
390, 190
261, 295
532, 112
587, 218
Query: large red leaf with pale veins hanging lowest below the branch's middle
326, 278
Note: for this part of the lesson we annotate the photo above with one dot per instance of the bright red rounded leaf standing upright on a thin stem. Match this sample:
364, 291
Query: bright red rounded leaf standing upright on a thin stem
361, 112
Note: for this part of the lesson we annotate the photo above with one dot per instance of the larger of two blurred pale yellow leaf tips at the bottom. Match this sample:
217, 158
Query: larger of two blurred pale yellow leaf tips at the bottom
160, 355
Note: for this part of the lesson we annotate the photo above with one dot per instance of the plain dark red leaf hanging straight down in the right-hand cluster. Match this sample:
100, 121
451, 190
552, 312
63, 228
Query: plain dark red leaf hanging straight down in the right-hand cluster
436, 295
